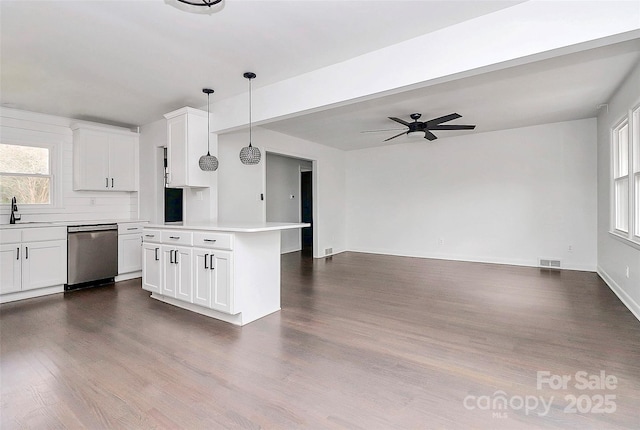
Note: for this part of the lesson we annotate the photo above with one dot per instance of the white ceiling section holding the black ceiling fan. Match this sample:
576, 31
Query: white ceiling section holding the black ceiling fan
564, 88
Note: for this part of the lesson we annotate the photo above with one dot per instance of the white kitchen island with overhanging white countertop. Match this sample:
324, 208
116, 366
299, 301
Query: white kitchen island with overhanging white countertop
226, 271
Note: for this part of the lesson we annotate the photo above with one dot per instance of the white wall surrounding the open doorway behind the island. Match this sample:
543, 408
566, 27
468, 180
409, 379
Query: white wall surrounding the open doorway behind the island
239, 186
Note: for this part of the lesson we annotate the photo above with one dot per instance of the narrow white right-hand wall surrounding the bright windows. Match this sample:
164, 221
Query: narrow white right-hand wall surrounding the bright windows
614, 255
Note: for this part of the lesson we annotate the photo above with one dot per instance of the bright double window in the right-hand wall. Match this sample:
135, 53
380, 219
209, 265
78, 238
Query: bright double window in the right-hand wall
625, 154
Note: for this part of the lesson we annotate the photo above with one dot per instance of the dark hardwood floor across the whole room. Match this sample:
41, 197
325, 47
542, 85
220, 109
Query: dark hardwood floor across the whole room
362, 342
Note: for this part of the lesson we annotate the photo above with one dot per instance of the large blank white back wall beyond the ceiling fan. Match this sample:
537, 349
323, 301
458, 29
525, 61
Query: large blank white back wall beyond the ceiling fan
509, 196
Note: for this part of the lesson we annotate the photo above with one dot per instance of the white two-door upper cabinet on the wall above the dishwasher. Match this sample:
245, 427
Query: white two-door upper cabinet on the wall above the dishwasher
104, 159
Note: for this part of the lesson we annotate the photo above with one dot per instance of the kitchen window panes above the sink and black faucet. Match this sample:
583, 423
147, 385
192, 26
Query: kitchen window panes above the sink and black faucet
25, 172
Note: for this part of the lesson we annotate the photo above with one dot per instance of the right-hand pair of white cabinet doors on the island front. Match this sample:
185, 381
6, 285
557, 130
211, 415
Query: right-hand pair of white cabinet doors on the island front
212, 281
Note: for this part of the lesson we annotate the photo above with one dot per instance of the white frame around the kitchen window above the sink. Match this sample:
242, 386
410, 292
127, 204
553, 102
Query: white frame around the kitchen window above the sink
55, 190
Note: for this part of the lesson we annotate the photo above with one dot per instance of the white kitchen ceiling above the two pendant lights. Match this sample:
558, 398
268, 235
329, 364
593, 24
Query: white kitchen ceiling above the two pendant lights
129, 62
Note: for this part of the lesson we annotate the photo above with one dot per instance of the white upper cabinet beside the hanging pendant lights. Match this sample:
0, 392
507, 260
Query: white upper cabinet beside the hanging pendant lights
186, 143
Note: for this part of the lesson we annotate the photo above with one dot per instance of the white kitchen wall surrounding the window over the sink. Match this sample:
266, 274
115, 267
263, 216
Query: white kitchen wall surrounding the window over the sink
22, 126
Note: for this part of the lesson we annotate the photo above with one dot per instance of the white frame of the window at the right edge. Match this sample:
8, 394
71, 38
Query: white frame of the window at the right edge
632, 234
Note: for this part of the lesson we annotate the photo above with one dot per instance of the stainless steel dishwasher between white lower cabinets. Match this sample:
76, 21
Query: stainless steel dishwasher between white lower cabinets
93, 255
